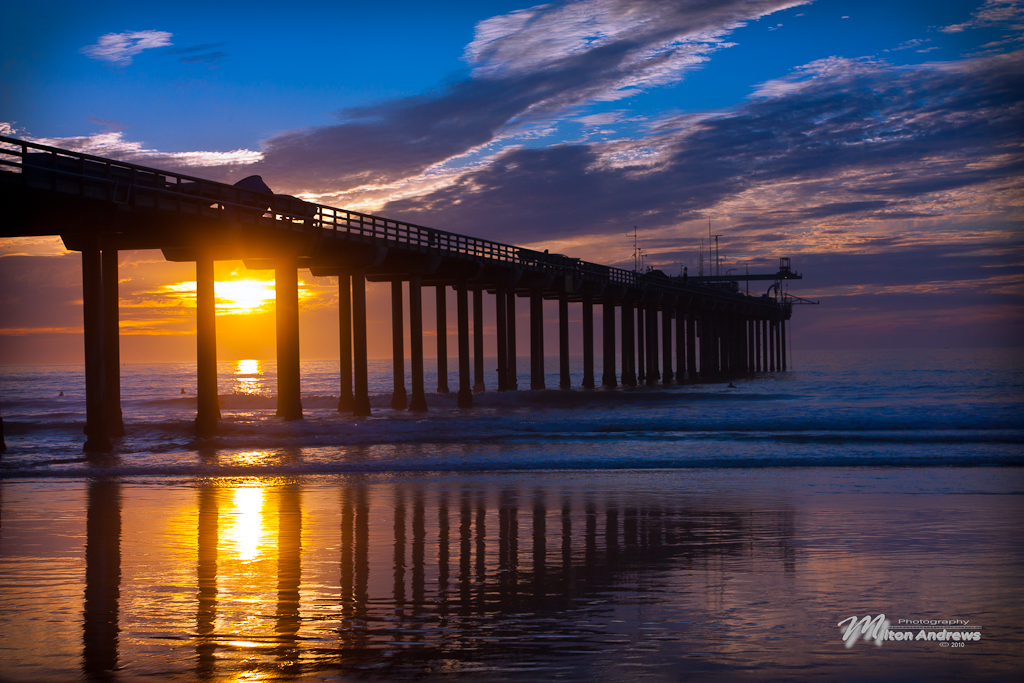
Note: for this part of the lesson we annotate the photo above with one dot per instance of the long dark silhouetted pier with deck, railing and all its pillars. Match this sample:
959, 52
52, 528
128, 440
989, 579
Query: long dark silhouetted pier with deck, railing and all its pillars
671, 330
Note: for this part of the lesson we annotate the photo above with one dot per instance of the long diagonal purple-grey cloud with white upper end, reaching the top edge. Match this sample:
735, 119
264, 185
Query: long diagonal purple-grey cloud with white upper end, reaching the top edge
528, 68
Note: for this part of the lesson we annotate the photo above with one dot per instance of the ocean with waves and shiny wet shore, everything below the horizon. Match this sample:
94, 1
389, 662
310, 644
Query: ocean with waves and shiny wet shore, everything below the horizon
703, 532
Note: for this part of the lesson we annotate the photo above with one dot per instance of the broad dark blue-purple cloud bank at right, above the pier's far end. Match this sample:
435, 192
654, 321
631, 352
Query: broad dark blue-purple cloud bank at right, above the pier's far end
842, 144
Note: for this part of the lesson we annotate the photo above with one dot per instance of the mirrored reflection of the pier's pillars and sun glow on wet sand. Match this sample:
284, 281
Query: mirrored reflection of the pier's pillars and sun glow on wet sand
425, 577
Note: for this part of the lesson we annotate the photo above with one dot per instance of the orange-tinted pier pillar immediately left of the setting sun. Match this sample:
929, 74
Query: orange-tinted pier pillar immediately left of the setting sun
207, 404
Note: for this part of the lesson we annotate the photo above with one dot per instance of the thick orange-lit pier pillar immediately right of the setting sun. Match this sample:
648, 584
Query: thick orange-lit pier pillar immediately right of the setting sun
287, 289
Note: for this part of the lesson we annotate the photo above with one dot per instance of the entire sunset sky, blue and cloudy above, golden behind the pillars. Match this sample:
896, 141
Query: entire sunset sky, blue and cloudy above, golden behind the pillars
878, 145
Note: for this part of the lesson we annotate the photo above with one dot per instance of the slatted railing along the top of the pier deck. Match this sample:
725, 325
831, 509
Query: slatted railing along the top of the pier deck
46, 167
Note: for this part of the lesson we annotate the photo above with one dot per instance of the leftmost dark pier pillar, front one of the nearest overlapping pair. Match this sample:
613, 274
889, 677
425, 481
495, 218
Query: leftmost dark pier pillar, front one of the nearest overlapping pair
98, 437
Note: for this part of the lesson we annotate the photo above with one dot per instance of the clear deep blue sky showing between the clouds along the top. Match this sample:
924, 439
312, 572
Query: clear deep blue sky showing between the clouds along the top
235, 74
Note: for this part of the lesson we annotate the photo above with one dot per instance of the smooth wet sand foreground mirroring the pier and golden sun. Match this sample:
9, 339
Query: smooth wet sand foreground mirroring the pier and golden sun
598, 576
